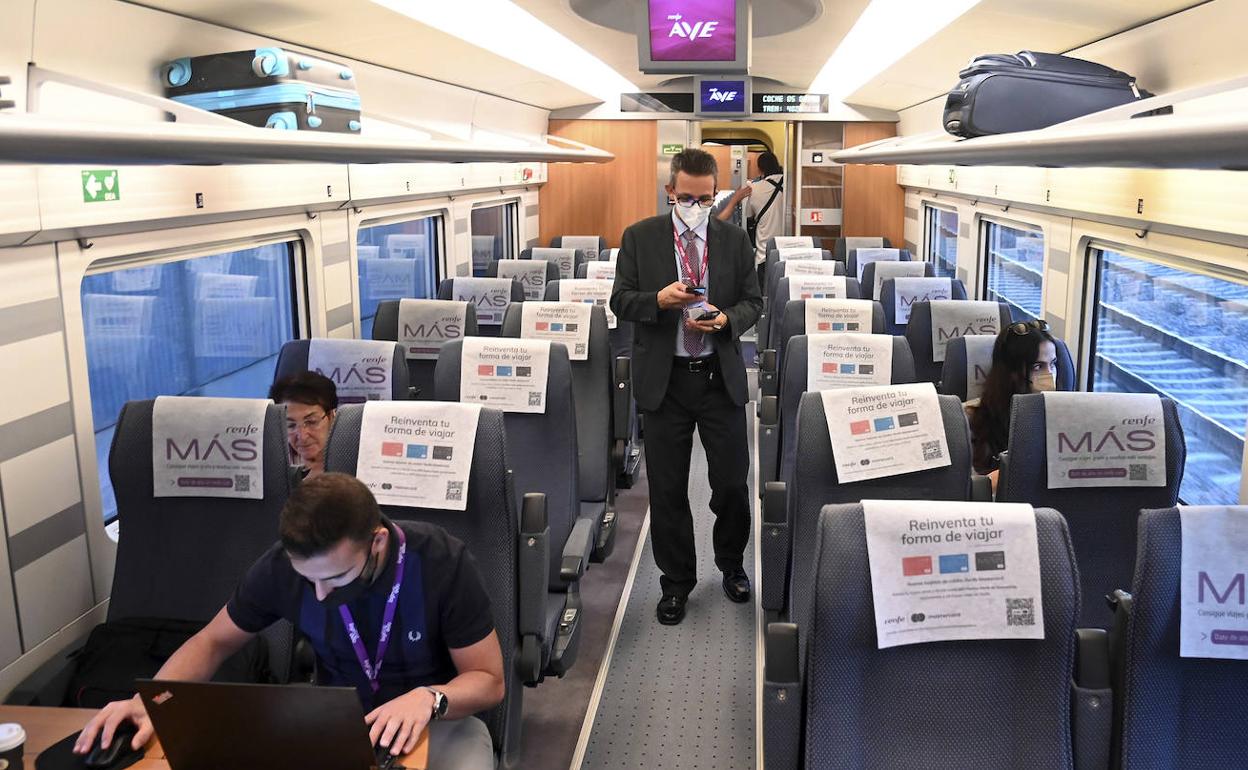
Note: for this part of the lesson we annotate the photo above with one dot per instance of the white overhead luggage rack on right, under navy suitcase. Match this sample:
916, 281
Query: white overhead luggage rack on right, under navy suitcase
1111, 138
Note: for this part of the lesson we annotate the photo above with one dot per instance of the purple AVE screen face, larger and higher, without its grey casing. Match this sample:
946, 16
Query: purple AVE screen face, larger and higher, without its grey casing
693, 31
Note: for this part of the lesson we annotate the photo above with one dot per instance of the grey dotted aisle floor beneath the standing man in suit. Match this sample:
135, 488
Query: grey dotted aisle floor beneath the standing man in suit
680, 697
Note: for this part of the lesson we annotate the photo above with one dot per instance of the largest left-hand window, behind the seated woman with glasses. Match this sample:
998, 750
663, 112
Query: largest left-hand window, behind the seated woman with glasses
205, 326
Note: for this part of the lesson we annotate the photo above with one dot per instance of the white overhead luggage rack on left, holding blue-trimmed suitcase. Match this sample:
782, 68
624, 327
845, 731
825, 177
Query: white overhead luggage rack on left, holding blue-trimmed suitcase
202, 138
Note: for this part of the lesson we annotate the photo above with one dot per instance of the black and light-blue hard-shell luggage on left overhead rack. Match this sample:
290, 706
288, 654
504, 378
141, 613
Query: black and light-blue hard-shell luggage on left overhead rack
269, 88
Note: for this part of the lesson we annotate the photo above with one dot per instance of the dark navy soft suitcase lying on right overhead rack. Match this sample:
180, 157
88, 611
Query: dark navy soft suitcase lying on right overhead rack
1004, 93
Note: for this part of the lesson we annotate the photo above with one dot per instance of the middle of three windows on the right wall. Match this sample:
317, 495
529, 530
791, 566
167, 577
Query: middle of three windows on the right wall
1015, 275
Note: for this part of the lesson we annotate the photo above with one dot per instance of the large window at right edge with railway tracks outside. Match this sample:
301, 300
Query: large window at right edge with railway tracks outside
1182, 335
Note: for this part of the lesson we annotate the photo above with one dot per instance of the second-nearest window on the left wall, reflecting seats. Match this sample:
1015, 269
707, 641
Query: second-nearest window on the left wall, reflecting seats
396, 261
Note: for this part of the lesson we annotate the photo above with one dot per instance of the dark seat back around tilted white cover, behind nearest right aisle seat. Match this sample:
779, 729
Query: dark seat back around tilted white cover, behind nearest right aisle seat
816, 485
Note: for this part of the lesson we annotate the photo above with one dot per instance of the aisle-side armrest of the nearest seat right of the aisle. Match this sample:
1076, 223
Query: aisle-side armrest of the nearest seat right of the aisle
782, 699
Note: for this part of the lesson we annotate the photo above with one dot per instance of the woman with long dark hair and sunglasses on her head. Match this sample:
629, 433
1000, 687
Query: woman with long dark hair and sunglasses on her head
1024, 361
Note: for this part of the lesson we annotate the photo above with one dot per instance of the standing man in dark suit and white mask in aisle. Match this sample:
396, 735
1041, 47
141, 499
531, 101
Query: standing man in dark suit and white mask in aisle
687, 281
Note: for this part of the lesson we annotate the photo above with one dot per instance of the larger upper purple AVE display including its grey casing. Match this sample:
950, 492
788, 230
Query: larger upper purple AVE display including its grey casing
695, 37
